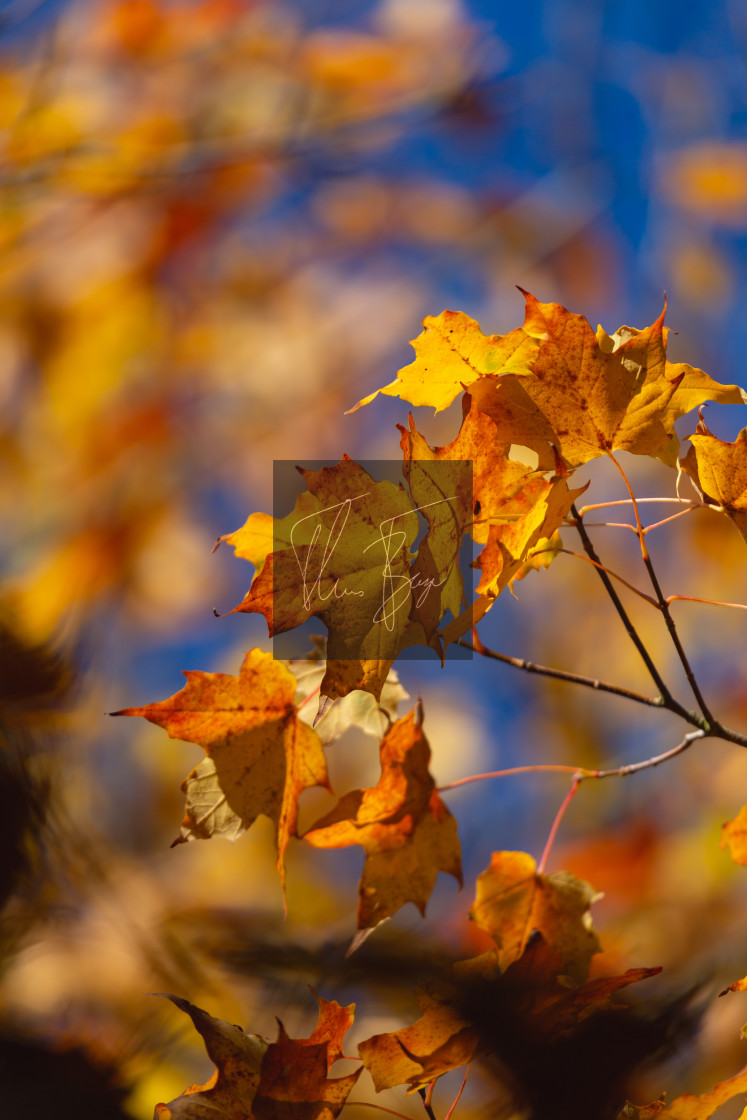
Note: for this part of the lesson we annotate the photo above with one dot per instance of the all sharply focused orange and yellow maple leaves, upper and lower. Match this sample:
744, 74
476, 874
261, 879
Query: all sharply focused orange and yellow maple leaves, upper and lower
563, 397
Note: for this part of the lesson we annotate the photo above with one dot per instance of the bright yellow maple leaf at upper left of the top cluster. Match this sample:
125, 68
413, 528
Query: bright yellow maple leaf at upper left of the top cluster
452, 352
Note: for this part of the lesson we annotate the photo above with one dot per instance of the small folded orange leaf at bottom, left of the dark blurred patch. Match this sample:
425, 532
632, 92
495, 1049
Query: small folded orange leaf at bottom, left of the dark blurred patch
440, 1041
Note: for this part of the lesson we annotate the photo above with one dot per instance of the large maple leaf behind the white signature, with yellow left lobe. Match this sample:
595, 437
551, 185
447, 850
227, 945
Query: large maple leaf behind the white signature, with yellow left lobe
344, 556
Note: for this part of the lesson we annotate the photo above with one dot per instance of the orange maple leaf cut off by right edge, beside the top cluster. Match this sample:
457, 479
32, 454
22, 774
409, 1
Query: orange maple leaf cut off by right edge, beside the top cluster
720, 471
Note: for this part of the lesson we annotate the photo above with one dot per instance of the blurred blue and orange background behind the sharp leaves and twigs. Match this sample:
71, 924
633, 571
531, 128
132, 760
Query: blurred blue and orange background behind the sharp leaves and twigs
220, 225
